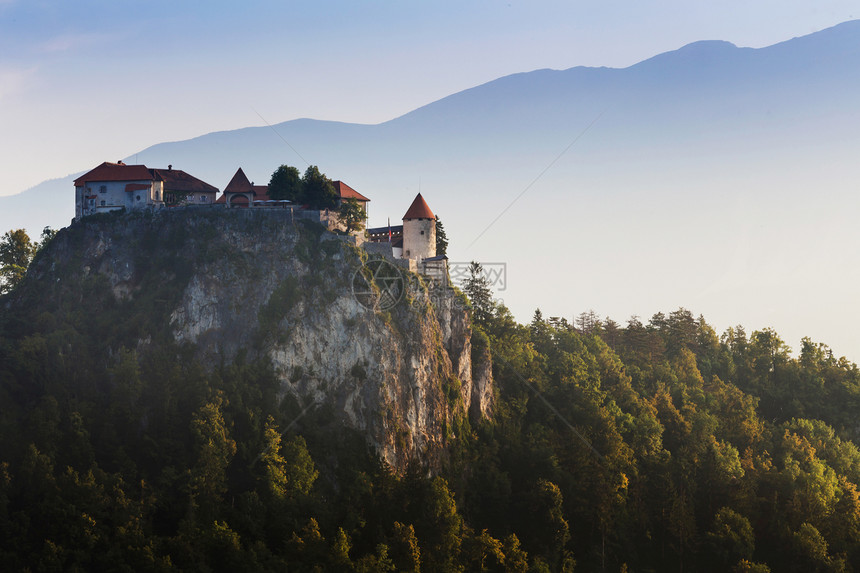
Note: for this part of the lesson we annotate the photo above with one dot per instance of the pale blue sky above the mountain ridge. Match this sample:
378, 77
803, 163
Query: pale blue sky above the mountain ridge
86, 81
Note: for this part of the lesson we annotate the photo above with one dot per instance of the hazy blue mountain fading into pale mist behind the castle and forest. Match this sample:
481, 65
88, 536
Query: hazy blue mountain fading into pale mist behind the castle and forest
722, 176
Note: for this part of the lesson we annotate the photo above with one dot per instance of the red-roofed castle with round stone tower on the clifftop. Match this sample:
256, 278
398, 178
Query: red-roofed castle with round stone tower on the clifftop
115, 186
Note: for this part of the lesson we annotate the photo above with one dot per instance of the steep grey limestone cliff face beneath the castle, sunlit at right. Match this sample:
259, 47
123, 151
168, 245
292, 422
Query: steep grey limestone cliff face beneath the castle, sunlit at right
258, 283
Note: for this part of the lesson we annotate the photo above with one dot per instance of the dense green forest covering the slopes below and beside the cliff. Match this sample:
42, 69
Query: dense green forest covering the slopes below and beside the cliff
658, 446
